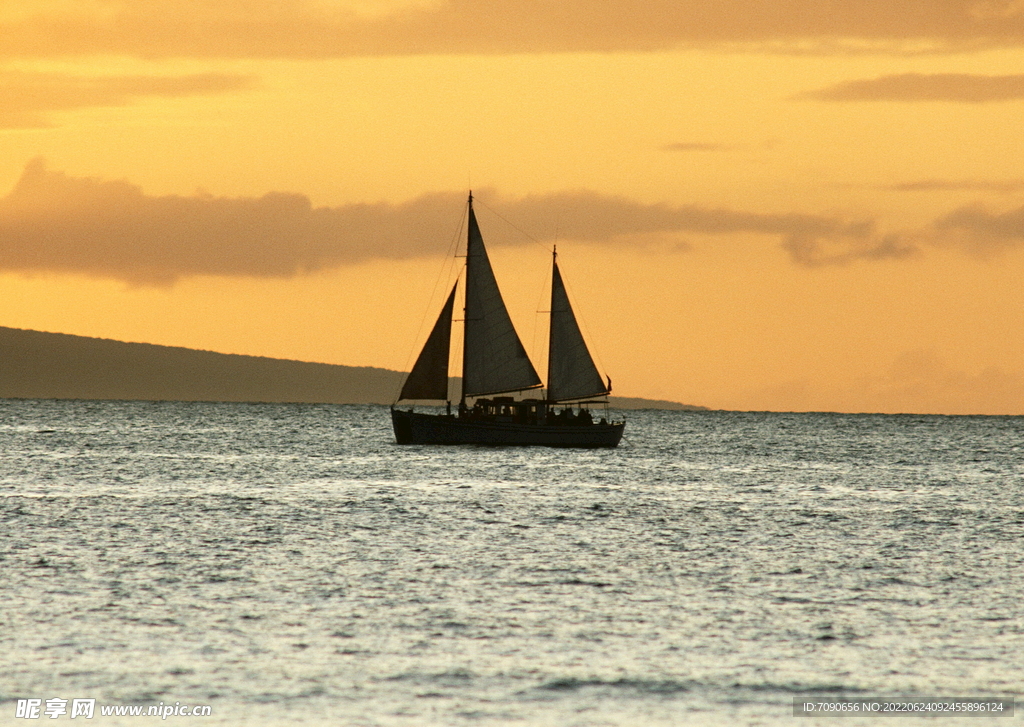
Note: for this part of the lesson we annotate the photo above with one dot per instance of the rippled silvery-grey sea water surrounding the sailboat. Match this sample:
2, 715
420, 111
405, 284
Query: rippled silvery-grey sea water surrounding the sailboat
291, 565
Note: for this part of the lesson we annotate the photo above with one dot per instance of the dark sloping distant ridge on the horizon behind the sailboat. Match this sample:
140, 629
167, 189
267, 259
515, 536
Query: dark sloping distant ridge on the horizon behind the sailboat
38, 365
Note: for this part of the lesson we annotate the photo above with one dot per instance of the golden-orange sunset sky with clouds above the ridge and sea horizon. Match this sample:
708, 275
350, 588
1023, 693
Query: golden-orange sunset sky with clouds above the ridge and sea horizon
783, 206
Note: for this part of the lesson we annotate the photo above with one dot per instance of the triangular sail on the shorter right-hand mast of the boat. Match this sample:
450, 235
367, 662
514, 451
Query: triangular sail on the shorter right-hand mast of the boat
572, 373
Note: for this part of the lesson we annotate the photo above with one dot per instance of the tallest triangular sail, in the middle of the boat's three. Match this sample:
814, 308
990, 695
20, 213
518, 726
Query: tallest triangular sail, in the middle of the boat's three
494, 359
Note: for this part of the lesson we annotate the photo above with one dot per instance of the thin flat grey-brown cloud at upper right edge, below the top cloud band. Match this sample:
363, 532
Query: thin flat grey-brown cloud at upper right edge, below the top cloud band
961, 89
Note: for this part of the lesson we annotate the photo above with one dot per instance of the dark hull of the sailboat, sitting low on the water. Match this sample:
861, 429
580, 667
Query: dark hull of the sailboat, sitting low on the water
416, 429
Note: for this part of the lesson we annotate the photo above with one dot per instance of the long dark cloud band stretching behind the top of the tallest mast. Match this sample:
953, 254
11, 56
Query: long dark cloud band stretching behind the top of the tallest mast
54, 223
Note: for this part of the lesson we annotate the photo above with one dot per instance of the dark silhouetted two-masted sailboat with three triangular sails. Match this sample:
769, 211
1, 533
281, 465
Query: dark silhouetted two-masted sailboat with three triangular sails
495, 365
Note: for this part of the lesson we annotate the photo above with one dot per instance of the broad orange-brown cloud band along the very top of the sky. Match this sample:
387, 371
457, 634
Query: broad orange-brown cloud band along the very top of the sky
310, 29
